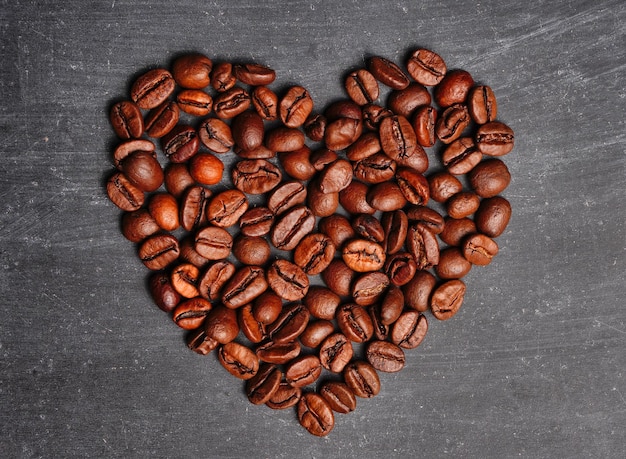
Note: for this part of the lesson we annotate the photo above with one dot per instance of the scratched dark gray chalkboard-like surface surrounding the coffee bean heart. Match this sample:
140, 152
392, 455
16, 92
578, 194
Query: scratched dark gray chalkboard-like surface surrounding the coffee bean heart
532, 366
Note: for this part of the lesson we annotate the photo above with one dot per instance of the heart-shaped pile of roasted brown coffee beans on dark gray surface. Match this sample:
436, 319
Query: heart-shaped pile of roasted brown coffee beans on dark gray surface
313, 264
